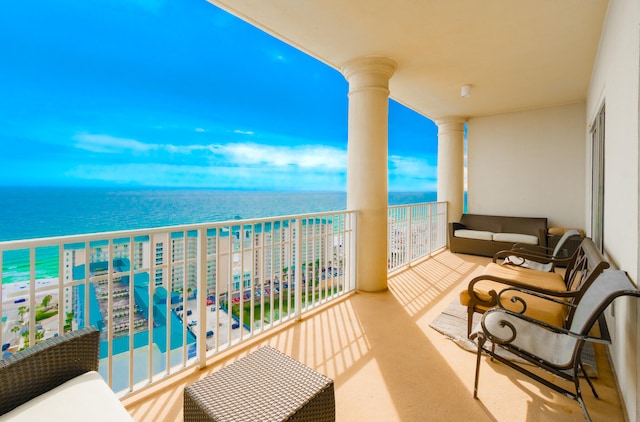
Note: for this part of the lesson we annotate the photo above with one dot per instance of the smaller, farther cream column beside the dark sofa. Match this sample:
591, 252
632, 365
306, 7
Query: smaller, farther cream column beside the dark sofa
451, 164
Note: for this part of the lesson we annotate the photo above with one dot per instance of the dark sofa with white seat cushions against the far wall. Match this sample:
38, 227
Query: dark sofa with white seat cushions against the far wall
487, 234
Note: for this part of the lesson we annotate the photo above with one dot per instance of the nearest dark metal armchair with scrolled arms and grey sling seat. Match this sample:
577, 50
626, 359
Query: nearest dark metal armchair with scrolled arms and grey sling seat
556, 350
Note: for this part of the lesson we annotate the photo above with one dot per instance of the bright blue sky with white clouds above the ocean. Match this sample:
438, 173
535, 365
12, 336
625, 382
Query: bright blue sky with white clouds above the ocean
177, 93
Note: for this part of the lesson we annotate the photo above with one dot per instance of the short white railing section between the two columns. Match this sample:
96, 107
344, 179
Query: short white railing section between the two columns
414, 232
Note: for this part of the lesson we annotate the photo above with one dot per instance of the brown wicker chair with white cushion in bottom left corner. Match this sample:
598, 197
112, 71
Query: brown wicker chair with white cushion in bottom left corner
47, 382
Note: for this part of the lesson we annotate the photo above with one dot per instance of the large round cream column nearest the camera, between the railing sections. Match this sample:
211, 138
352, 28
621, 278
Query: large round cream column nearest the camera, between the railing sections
367, 156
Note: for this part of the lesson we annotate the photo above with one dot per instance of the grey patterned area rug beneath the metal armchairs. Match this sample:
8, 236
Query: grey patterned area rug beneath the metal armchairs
452, 322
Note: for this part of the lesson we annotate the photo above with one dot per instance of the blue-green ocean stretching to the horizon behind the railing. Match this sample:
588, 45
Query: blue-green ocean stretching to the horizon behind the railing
34, 212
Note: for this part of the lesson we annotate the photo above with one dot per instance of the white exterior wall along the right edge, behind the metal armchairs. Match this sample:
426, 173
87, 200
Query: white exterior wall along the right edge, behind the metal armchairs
615, 81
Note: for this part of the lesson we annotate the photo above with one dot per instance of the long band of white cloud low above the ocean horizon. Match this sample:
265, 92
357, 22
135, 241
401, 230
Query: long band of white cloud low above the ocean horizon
241, 165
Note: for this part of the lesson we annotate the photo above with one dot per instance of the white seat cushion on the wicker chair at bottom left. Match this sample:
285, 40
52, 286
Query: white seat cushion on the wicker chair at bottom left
84, 398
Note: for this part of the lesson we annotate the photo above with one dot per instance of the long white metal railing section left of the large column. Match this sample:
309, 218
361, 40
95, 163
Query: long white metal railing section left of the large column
167, 298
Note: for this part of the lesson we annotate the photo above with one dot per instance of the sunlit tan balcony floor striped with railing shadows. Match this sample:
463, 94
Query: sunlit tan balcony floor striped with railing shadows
389, 365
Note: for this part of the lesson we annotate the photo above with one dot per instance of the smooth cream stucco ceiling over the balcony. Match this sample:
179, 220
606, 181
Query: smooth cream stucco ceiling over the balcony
515, 54
